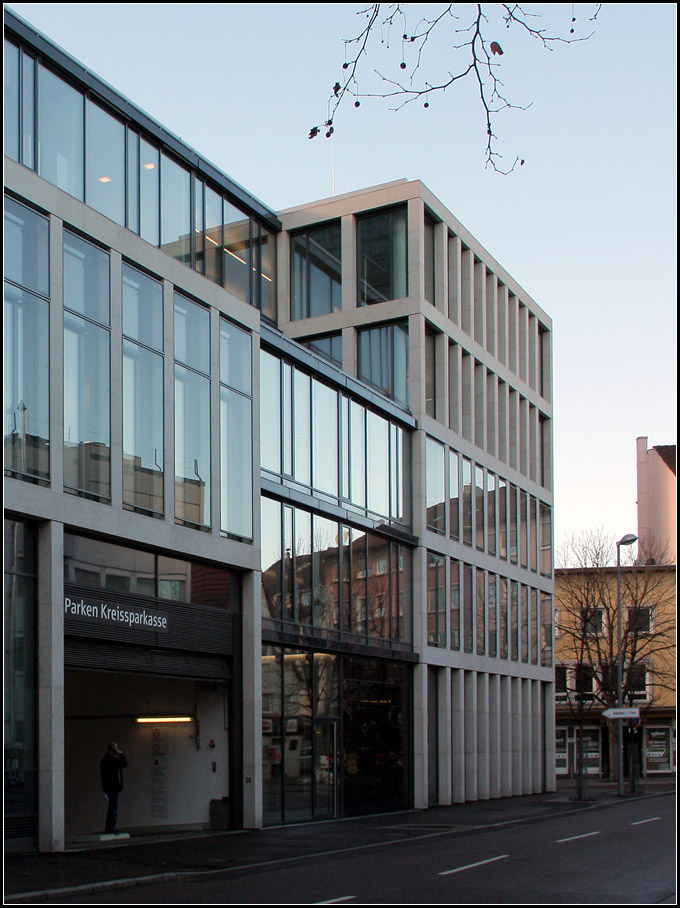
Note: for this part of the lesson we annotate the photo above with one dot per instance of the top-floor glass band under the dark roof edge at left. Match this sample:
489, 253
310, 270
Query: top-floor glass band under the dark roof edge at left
92, 154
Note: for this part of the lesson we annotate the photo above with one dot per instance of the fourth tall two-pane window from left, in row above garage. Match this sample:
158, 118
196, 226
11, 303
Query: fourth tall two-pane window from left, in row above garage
192, 412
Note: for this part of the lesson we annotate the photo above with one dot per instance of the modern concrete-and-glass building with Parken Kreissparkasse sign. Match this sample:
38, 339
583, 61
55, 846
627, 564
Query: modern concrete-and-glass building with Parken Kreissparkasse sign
278, 488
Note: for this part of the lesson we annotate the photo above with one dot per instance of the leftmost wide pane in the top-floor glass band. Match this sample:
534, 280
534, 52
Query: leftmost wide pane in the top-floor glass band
61, 133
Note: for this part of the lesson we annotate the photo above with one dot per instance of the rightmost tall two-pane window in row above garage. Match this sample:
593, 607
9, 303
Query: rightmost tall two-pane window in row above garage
236, 433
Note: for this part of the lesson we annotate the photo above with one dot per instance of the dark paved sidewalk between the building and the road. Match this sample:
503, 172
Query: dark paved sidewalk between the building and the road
139, 859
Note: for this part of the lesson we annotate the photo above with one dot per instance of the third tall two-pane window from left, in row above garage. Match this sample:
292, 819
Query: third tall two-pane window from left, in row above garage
143, 447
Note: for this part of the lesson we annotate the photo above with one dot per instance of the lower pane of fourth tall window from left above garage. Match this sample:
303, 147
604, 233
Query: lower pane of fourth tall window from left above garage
192, 447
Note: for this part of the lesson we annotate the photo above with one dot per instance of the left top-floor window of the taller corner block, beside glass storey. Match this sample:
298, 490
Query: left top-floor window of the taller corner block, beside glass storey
316, 276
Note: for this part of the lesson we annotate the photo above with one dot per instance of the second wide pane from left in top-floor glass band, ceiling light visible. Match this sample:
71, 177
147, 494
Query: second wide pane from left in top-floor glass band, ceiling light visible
105, 163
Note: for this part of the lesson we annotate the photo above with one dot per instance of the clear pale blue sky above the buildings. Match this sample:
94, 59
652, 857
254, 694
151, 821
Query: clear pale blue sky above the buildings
587, 226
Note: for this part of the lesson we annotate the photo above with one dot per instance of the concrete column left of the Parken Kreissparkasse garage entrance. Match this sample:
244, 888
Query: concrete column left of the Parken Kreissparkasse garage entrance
50, 687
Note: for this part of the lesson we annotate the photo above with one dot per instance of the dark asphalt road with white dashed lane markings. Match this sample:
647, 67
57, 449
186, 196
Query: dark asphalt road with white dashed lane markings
623, 854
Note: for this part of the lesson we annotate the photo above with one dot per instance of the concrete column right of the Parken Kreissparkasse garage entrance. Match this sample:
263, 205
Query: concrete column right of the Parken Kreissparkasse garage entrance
252, 701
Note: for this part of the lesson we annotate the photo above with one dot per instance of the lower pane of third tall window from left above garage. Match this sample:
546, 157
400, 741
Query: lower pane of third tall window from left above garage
143, 440
